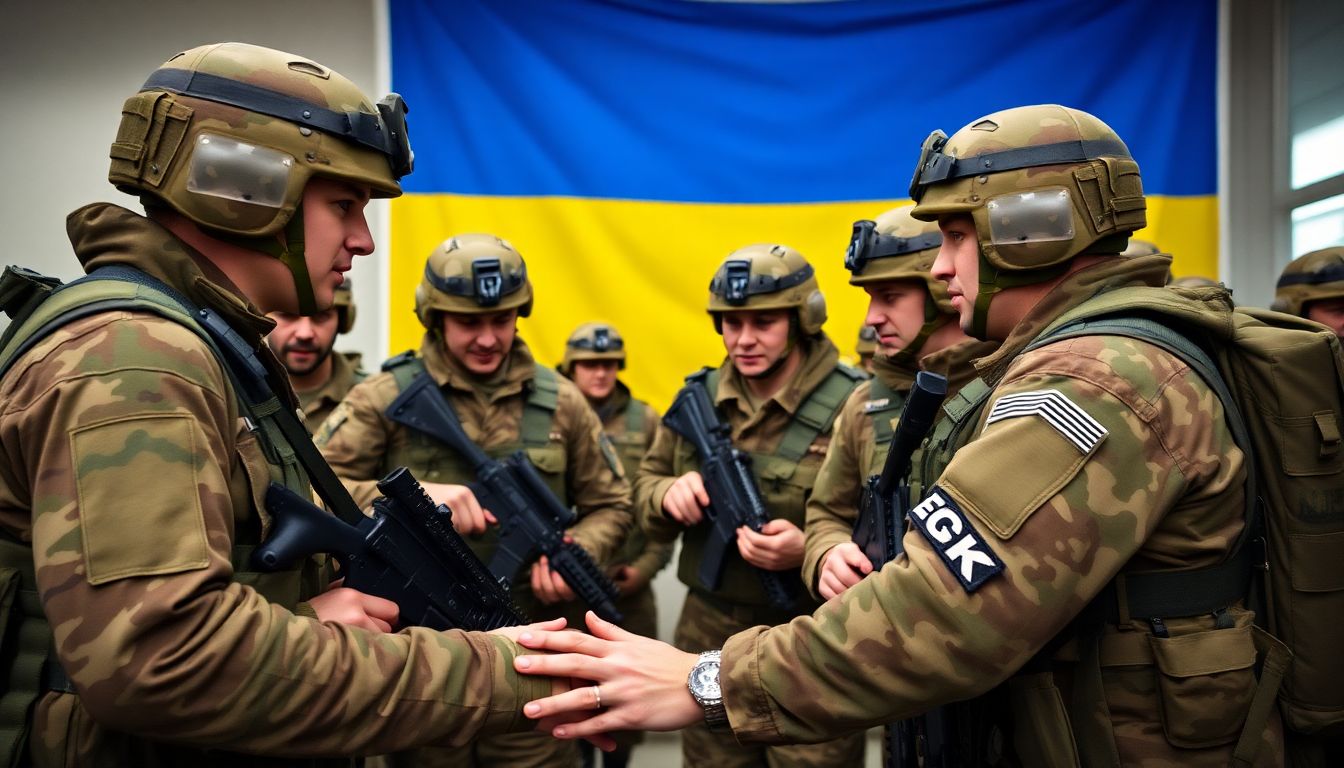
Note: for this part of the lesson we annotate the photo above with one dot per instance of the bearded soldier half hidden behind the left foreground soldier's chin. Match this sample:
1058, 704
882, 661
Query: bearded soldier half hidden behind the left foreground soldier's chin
306, 346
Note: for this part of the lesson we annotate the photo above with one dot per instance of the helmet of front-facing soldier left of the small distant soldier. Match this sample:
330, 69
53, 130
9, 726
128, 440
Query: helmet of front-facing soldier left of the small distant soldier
472, 275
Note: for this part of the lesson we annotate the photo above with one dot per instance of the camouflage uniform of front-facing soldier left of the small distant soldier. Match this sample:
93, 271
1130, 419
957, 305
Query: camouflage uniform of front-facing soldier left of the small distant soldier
362, 445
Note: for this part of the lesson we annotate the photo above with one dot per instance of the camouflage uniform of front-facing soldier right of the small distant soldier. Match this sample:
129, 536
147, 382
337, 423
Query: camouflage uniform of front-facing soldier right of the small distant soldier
710, 618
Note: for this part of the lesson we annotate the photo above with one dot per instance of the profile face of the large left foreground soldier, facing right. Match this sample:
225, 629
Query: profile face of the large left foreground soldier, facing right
335, 233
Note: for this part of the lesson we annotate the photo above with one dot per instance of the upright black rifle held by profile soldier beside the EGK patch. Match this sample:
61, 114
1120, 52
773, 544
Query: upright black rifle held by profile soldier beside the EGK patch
878, 532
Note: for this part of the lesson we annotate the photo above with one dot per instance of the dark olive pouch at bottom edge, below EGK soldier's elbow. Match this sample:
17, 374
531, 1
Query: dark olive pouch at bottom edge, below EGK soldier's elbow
1042, 732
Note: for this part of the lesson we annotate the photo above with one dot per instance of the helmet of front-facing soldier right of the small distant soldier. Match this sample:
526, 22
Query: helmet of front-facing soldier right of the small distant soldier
767, 276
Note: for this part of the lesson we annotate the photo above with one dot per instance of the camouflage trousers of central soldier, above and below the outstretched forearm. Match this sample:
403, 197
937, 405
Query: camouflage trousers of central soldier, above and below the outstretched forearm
705, 627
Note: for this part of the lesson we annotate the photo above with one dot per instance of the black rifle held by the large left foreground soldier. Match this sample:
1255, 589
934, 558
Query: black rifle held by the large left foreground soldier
407, 552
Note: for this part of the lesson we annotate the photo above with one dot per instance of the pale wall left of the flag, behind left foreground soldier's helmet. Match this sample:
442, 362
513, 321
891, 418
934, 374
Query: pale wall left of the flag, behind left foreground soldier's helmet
68, 68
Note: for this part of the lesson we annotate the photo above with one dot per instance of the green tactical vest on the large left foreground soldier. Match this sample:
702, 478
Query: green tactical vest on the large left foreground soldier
33, 669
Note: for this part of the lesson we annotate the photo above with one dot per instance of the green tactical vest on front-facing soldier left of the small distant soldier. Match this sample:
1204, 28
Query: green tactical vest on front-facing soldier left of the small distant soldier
433, 462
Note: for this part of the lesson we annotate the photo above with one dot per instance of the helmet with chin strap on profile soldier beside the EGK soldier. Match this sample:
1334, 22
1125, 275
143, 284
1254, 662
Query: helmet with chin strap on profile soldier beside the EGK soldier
900, 247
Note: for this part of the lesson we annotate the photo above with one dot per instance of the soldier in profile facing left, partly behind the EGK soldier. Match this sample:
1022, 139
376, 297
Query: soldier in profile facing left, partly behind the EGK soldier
916, 329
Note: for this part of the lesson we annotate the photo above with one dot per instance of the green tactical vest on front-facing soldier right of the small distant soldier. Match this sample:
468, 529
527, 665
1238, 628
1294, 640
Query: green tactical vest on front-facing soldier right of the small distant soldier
786, 482
